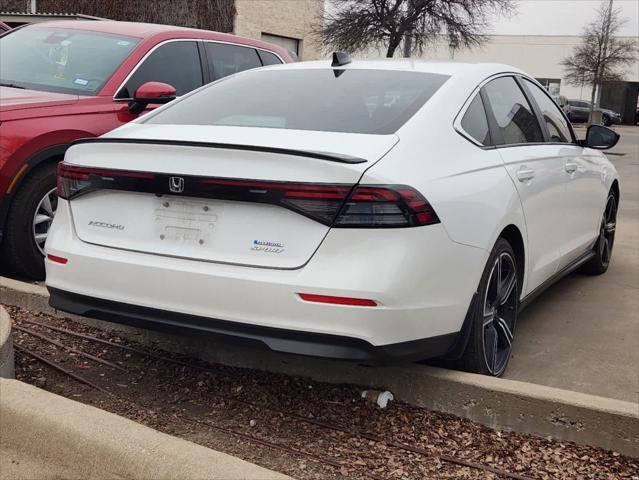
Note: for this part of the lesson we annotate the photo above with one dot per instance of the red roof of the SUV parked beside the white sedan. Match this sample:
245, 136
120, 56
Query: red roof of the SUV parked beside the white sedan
150, 30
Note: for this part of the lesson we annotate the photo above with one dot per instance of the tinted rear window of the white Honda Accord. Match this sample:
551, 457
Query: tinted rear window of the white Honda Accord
353, 101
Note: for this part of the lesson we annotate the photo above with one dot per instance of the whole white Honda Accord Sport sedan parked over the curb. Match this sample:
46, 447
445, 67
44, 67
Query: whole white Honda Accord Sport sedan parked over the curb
369, 211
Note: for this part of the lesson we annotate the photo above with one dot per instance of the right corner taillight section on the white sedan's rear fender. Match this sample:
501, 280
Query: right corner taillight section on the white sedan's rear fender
388, 206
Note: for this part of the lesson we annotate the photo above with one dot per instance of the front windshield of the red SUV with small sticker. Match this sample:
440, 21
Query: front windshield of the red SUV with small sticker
61, 60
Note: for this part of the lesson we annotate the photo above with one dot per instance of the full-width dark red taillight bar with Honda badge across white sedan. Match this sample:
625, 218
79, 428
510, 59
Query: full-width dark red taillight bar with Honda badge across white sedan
339, 205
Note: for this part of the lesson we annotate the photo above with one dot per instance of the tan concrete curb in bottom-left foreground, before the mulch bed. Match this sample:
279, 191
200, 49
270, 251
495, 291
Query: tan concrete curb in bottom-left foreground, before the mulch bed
47, 436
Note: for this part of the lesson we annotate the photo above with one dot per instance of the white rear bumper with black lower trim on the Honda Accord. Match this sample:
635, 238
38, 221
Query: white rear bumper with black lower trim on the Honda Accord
421, 281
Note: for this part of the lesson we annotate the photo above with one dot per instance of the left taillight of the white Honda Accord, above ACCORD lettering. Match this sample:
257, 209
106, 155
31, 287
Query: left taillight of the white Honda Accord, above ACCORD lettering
72, 181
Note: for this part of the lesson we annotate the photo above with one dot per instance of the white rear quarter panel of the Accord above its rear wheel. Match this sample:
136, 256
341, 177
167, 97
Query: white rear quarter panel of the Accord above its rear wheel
468, 186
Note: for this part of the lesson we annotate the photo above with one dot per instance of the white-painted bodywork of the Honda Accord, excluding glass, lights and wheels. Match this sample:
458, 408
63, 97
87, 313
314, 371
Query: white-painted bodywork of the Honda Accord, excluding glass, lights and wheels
422, 278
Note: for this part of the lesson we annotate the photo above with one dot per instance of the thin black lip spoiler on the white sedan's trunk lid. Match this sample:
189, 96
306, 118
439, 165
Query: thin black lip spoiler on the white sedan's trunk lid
328, 156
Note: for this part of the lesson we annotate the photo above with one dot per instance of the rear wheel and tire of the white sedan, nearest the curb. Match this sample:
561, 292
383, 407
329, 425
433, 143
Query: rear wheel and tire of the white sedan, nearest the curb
495, 314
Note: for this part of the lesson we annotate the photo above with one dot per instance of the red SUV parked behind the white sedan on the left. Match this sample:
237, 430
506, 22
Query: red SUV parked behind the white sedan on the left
64, 80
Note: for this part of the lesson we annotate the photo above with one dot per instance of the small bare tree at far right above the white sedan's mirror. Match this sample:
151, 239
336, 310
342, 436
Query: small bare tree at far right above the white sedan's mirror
602, 56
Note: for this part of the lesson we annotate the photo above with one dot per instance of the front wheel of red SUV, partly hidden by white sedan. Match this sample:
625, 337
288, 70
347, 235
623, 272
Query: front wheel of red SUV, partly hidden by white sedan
19, 248
